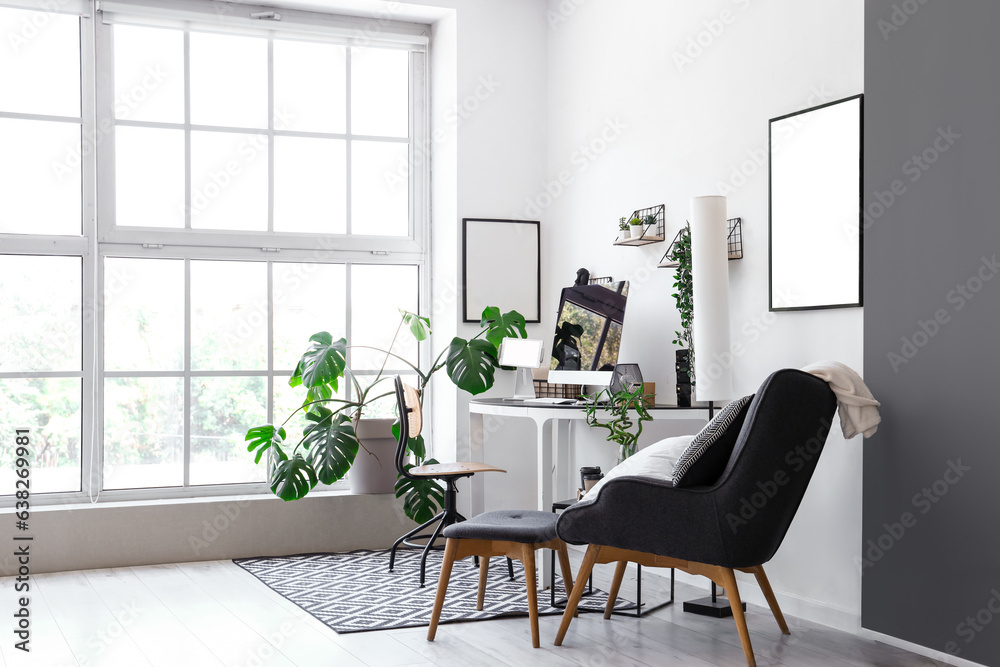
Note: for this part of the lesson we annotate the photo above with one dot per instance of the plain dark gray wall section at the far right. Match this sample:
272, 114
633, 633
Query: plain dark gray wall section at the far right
932, 297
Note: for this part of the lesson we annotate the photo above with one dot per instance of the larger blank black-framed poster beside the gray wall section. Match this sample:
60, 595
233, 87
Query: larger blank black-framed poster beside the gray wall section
815, 216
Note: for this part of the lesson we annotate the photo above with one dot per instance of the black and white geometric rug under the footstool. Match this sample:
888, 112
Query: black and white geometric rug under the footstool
355, 592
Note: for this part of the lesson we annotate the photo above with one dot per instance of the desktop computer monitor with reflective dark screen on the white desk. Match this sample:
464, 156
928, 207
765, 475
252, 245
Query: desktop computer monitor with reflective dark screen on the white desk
588, 333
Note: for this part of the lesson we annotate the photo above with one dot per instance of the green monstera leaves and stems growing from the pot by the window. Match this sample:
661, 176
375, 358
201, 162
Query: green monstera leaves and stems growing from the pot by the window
330, 442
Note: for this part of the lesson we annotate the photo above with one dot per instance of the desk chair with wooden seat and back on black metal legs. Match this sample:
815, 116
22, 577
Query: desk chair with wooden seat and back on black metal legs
411, 423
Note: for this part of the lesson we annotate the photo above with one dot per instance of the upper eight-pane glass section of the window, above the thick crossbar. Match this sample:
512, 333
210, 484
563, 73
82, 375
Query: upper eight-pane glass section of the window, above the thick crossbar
219, 194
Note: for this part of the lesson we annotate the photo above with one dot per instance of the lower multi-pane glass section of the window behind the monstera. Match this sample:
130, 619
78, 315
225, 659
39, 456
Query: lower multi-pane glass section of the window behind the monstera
199, 442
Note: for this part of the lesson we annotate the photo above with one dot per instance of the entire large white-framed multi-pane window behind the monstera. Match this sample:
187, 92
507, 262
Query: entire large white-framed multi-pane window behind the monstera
178, 214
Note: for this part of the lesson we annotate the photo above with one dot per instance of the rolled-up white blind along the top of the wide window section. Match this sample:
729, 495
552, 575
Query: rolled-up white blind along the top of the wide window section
236, 18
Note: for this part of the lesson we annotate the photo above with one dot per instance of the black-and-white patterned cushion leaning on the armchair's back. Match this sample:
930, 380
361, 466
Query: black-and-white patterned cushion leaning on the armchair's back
706, 457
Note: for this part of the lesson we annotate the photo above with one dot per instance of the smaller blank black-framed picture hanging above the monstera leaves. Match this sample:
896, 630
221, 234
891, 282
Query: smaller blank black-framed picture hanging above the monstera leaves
502, 267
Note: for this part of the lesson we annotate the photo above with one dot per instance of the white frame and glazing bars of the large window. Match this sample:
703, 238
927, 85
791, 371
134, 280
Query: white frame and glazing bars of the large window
101, 238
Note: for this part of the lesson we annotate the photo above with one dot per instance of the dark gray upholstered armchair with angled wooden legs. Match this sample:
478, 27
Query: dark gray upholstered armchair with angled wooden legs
736, 523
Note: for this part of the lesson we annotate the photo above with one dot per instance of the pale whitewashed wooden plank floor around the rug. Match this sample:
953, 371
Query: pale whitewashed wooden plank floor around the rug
214, 613
